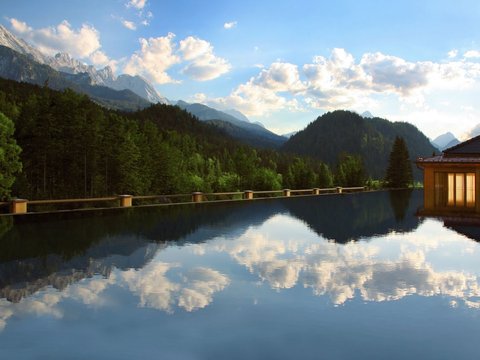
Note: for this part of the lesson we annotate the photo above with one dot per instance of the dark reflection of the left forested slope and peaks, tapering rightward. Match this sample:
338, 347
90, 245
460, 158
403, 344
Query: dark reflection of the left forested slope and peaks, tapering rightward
60, 249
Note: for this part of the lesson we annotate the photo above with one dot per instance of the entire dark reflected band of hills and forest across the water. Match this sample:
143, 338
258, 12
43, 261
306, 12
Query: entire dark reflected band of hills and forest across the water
60, 249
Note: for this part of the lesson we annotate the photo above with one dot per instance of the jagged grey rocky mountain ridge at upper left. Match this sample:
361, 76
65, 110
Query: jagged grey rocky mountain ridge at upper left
63, 62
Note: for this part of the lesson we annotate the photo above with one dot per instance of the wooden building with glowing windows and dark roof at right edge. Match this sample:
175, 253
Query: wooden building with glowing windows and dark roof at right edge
450, 179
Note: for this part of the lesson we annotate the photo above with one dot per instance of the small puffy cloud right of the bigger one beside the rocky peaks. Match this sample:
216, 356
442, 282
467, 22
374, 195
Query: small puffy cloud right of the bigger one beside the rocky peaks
204, 64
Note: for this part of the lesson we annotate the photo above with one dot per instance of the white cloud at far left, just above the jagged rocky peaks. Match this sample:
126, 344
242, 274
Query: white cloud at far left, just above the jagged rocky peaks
80, 43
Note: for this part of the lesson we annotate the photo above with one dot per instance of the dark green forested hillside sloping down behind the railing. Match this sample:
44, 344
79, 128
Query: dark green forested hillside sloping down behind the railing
73, 147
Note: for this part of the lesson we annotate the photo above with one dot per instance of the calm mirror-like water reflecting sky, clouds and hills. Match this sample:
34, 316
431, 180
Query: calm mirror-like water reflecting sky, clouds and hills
332, 277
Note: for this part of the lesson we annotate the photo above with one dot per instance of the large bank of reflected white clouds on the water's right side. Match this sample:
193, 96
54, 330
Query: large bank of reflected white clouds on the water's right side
389, 269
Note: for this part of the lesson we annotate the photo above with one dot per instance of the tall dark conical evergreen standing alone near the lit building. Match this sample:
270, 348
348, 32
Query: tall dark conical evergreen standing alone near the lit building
399, 171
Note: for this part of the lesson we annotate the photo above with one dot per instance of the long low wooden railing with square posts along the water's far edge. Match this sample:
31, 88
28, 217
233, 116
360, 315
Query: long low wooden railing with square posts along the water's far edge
20, 206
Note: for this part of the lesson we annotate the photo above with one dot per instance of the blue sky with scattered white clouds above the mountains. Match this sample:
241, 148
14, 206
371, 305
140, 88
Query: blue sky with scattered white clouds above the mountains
283, 63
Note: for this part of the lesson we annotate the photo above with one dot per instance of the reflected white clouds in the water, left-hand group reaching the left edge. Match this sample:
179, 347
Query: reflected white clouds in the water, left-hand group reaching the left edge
193, 291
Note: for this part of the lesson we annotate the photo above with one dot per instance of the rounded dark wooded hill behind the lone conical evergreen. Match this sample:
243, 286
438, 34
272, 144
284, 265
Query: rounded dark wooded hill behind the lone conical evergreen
344, 131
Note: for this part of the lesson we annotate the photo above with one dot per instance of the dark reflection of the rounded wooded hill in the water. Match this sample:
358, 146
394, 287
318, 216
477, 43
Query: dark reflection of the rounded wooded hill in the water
351, 217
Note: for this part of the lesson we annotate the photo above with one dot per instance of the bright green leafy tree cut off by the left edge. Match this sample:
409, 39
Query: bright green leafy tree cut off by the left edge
10, 164
